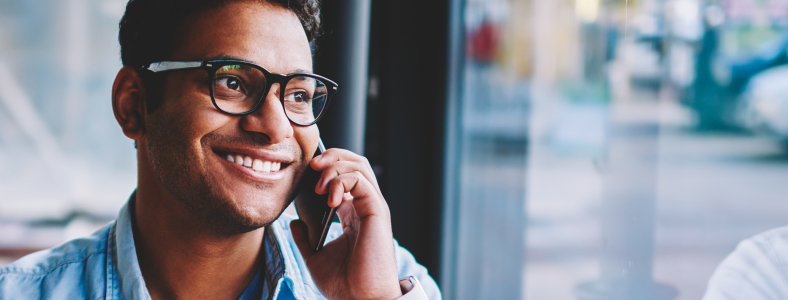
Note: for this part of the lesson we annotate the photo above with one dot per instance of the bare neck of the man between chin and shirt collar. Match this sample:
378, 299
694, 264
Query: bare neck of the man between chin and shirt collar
181, 259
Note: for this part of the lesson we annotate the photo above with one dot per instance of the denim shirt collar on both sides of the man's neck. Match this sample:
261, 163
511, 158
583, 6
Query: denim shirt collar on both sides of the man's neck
130, 283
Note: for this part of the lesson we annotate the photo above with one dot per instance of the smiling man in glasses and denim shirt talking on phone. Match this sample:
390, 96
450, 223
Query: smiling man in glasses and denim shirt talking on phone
222, 139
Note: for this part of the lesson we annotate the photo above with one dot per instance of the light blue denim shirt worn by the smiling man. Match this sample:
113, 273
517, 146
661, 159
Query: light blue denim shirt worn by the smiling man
104, 266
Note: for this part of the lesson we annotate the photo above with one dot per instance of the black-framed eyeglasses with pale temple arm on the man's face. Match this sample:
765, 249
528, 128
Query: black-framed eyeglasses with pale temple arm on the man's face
239, 88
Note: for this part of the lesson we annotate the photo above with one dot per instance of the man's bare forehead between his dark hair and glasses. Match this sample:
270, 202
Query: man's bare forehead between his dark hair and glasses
262, 33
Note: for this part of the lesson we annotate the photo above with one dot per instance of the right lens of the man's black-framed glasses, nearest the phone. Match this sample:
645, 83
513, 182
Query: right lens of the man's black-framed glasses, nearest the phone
304, 99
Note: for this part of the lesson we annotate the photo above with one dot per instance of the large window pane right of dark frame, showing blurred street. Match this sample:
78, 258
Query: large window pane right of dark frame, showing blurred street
615, 147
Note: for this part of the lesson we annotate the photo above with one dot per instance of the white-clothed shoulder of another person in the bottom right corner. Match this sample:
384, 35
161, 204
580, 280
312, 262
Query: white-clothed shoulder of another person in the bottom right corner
756, 269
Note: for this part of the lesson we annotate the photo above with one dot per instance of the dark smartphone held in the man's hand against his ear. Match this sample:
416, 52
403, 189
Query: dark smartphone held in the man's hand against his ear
312, 208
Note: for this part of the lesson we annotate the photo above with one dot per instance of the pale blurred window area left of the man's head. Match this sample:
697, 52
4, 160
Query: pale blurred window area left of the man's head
65, 166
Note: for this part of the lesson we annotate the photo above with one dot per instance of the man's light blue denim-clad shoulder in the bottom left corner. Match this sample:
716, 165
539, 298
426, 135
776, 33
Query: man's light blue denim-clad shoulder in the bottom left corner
56, 269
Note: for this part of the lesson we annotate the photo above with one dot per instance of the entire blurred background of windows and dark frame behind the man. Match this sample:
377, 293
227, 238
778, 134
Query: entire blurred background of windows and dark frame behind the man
528, 149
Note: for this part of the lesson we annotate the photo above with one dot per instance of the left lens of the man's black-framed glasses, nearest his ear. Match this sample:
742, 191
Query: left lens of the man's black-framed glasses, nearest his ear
238, 87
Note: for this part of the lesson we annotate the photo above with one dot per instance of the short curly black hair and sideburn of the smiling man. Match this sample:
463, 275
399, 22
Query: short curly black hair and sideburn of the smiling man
148, 30
